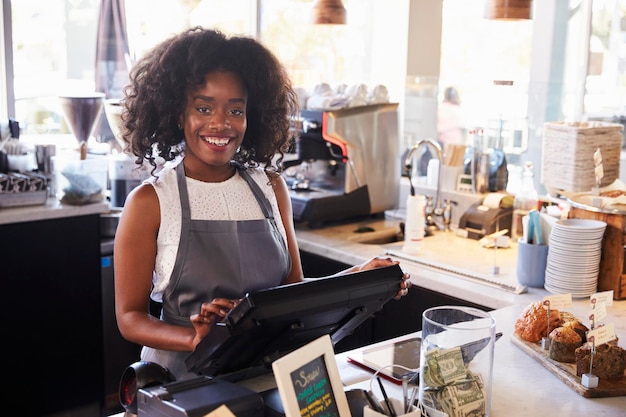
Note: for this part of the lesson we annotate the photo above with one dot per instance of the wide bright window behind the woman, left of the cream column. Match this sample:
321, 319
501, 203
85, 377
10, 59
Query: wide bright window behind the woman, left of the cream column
63, 59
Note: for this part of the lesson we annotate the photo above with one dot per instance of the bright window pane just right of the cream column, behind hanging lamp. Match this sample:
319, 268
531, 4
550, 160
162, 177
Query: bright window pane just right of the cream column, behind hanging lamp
488, 62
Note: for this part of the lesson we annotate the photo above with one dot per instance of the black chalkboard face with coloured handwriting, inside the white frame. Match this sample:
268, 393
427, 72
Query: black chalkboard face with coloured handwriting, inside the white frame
313, 390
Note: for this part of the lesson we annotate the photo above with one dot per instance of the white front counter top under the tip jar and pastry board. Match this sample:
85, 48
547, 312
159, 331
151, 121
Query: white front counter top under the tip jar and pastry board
521, 387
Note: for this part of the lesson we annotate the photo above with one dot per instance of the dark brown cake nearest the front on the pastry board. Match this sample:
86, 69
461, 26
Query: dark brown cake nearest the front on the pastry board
609, 361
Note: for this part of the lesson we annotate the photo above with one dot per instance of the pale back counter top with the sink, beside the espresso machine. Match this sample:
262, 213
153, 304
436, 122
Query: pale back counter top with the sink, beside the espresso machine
446, 263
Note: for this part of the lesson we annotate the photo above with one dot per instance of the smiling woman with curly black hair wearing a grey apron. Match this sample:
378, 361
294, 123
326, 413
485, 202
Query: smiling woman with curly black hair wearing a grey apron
215, 219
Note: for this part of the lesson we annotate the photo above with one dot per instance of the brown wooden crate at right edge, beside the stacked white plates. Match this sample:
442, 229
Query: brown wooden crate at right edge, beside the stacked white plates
611, 275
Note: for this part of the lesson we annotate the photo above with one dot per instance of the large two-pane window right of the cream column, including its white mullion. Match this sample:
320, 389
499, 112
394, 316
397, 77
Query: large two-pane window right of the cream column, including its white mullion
578, 47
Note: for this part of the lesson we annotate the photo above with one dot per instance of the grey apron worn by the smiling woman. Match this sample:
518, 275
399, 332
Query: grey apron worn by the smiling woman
218, 259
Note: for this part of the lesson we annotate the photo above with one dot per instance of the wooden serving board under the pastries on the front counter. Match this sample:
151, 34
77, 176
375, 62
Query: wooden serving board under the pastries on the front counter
566, 372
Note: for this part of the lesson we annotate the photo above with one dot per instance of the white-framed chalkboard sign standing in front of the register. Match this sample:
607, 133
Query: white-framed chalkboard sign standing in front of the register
308, 382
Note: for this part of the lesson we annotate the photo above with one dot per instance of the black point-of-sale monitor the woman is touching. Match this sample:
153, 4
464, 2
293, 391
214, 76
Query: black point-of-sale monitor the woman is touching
270, 323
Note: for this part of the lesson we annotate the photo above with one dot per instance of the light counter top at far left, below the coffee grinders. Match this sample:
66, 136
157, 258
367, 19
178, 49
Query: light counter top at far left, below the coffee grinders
53, 209
